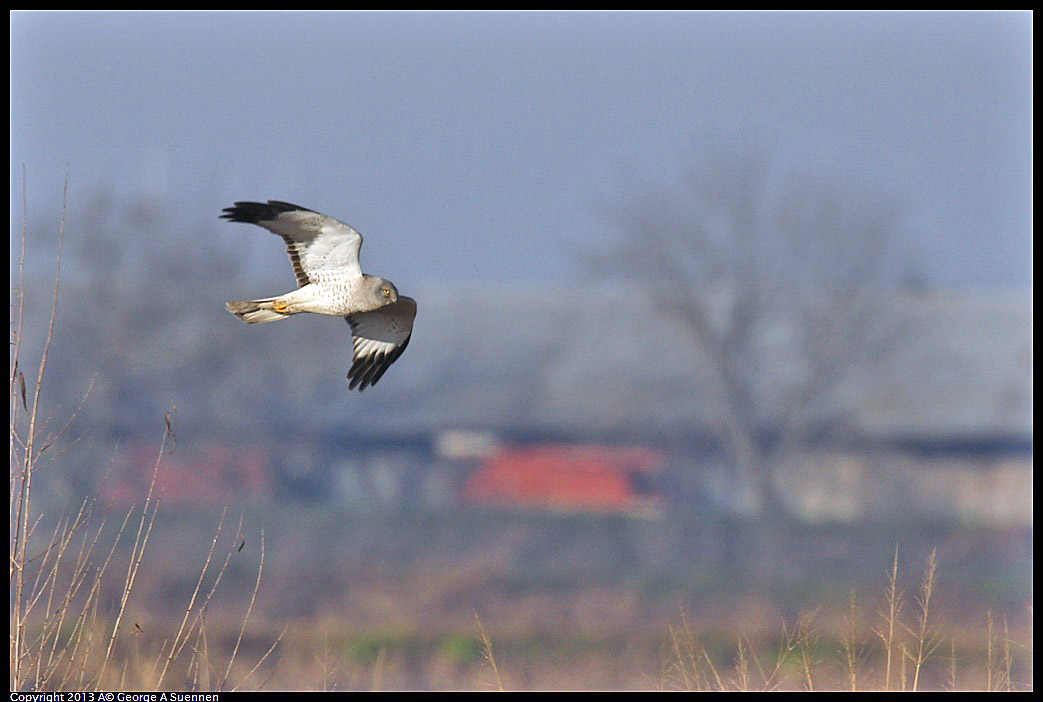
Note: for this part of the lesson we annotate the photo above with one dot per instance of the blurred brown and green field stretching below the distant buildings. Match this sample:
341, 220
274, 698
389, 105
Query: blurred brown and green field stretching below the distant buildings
488, 601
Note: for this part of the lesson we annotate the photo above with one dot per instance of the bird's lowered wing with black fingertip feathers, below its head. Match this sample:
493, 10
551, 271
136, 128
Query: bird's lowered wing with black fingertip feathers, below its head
380, 338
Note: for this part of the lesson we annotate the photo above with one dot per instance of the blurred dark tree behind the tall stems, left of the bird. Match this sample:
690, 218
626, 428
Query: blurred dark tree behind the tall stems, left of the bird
141, 292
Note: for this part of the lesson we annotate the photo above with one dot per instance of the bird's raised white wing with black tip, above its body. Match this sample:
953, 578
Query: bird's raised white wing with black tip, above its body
321, 248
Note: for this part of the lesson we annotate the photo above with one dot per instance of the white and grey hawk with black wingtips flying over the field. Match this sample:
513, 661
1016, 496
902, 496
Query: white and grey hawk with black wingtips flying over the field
325, 255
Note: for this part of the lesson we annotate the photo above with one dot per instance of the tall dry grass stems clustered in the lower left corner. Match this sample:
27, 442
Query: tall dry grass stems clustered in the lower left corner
66, 633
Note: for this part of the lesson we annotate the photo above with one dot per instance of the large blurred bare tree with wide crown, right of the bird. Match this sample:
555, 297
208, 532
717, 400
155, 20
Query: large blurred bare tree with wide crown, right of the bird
779, 281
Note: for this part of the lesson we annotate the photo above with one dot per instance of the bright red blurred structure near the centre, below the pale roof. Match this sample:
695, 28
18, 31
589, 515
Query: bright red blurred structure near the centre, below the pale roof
583, 478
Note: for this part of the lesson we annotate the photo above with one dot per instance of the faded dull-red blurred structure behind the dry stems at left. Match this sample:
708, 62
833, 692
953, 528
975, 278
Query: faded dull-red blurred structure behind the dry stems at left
209, 477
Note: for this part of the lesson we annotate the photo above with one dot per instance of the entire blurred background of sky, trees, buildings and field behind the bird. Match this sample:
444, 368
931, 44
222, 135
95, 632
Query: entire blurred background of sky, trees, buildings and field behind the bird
718, 313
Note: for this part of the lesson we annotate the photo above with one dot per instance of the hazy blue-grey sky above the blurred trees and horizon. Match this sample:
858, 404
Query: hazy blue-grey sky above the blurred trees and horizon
494, 147
